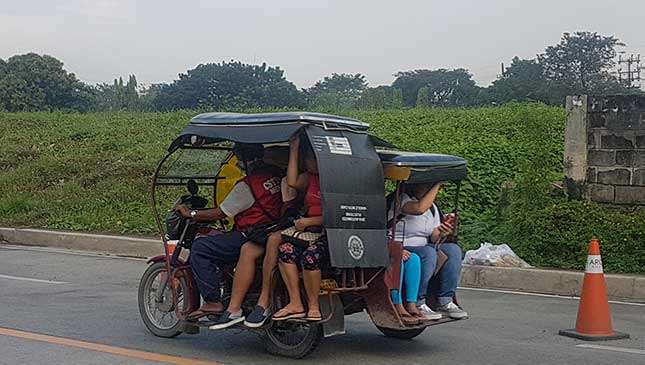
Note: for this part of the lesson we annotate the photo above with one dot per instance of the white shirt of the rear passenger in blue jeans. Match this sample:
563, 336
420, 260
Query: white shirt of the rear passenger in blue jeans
415, 230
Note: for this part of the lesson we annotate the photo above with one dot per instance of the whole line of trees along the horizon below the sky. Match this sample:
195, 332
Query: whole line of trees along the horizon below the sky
581, 63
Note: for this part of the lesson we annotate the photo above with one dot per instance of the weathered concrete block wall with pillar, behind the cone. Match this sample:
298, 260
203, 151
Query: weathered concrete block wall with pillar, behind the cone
605, 147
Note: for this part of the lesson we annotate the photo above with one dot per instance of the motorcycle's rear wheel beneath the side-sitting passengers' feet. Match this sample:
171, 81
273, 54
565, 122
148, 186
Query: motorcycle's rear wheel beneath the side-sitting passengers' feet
290, 338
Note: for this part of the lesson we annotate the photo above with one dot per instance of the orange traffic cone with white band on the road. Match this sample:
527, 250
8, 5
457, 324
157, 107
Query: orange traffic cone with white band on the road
594, 319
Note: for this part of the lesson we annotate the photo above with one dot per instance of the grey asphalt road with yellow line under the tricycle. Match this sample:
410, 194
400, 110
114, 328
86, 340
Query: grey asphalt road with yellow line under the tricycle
94, 299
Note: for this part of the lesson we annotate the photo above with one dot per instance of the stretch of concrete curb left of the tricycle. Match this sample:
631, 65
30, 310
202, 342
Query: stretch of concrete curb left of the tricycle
113, 245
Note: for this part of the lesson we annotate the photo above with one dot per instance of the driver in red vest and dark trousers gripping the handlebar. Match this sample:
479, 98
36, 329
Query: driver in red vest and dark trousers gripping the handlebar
256, 200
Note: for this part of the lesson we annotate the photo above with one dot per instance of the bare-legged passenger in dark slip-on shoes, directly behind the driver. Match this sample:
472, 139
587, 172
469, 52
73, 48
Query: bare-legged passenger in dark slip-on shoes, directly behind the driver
245, 273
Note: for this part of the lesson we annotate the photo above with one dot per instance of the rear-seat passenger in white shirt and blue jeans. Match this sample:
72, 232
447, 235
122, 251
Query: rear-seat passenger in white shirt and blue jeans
425, 232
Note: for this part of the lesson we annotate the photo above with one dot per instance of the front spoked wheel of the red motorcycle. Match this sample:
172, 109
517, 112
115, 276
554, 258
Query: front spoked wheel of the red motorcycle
158, 311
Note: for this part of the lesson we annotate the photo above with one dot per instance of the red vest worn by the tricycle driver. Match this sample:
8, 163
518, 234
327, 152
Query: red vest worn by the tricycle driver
265, 186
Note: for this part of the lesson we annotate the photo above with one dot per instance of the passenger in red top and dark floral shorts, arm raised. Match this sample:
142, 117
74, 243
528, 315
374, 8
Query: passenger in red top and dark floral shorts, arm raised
309, 258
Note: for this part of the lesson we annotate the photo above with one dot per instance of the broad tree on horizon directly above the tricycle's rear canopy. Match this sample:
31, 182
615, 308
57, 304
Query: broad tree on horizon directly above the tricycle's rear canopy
445, 87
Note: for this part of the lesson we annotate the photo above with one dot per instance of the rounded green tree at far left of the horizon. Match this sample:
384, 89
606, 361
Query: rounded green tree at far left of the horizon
33, 82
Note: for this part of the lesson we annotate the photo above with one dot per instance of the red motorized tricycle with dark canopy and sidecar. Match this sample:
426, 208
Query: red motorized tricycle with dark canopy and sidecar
356, 170
